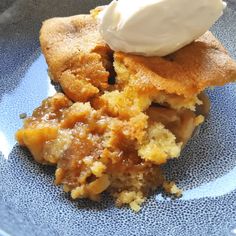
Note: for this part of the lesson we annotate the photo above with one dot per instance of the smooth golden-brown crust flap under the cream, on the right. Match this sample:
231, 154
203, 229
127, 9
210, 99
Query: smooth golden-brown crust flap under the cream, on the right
187, 72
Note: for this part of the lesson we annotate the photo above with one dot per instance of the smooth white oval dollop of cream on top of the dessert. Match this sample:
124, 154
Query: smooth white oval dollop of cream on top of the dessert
156, 27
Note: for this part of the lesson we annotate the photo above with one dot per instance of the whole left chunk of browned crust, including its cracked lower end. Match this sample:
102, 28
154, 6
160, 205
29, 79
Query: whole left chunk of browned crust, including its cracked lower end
77, 56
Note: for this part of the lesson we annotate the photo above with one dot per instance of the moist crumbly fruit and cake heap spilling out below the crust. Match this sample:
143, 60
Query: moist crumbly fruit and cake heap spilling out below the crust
95, 152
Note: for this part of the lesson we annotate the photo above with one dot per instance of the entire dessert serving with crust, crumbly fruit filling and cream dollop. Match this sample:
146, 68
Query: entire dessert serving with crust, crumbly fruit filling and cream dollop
131, 96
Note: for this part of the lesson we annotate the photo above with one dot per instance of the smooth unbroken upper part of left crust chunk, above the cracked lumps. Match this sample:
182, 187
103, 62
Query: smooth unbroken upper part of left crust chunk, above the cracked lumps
63, 38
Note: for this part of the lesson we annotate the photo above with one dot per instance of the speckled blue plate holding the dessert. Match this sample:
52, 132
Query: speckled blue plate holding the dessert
31, 205
